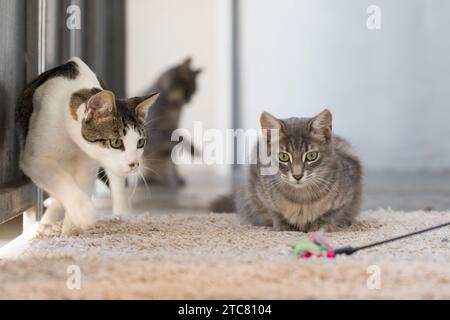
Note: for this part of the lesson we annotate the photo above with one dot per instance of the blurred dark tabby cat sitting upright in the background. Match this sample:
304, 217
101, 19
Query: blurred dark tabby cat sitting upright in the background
176, 87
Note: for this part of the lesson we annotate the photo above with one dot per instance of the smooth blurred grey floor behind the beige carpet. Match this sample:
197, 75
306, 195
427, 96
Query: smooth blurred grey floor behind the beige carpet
398, 191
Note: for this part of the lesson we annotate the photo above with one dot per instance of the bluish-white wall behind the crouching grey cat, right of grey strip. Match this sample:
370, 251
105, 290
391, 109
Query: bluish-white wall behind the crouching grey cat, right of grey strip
389, 90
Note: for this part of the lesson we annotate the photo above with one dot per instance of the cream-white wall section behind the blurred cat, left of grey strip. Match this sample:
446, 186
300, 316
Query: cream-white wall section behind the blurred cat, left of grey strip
161, 33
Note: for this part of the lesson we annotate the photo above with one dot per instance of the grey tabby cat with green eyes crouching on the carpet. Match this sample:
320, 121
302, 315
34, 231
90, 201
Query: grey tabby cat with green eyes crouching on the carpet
318, 183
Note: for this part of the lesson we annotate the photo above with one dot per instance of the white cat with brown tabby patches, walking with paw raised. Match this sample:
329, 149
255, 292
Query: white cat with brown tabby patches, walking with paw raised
69, 126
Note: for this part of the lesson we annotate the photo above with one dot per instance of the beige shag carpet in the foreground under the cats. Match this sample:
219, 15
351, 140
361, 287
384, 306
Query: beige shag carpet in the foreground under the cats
211, 256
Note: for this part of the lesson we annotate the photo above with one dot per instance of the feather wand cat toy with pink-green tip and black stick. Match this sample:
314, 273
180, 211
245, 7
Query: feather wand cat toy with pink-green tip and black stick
319, 246
